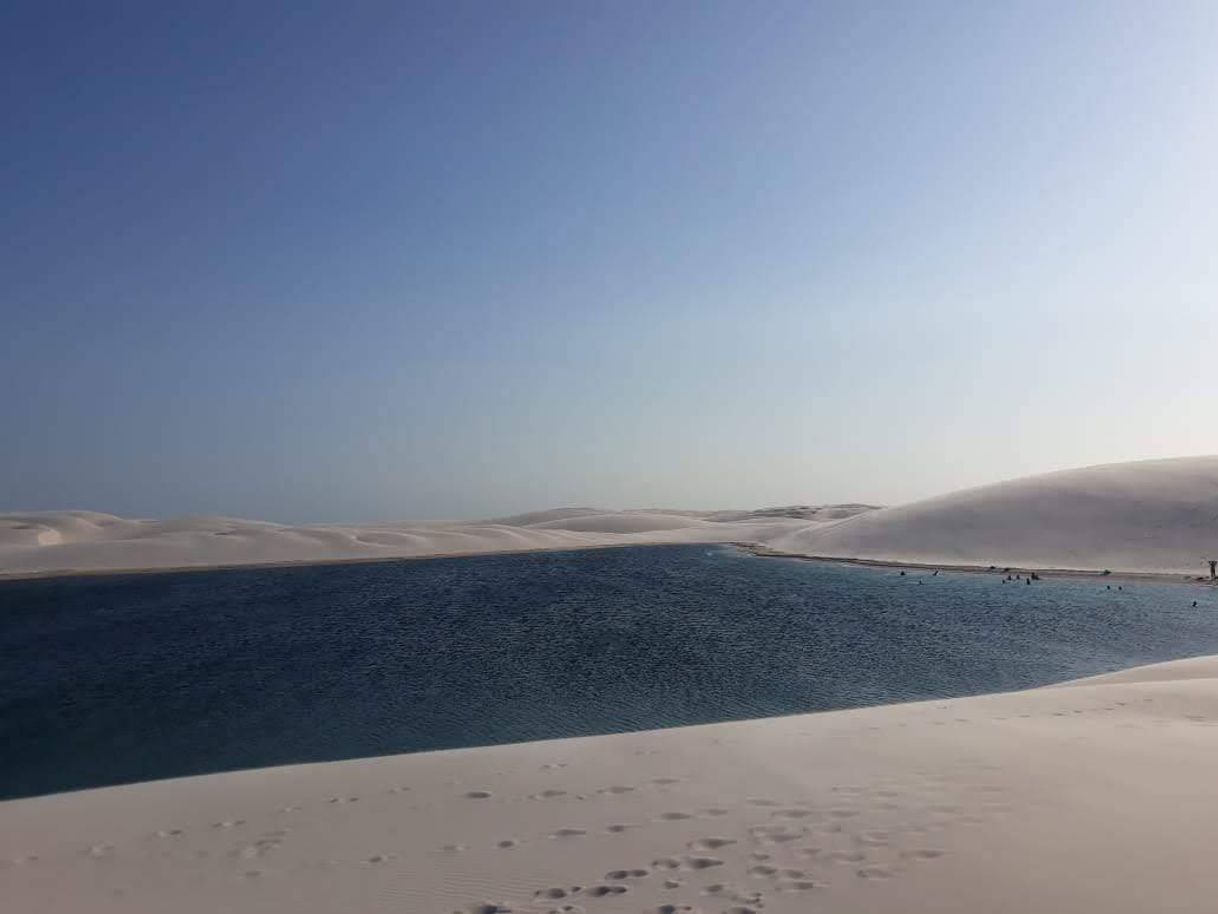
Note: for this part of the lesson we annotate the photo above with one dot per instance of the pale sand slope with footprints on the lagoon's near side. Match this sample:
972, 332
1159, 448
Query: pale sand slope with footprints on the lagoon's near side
1094, 796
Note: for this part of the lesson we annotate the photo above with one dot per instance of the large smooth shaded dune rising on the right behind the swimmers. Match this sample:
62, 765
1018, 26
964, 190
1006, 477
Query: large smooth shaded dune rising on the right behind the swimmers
1150, 516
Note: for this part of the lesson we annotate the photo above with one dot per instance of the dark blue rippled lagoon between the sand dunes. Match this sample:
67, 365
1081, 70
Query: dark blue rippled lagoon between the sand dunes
116, 679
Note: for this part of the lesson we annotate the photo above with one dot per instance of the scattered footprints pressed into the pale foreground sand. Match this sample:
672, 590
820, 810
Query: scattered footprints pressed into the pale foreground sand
828, 835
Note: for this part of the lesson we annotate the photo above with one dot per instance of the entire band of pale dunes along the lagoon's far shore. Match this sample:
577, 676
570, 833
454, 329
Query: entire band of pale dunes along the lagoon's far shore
1150, 516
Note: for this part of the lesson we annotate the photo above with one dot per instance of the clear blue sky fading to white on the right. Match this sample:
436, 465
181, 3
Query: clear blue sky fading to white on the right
389, 260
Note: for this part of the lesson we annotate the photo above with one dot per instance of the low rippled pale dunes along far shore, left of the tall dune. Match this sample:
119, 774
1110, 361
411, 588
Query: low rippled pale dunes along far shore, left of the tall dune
65, 542
